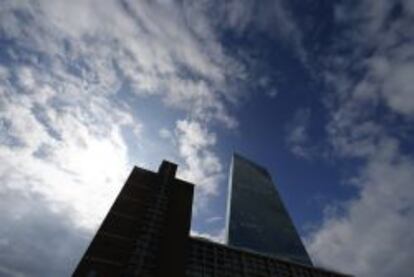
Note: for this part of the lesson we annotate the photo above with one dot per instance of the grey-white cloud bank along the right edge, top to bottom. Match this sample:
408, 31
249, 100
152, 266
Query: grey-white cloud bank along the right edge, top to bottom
372, 233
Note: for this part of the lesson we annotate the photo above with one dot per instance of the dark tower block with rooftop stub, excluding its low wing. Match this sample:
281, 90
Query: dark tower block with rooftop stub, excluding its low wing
145, 233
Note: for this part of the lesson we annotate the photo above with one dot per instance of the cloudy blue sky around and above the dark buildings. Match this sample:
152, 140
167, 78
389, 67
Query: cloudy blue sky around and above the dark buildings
320, 93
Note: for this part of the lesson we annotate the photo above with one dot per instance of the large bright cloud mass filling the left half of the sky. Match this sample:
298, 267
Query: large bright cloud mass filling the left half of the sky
66, 72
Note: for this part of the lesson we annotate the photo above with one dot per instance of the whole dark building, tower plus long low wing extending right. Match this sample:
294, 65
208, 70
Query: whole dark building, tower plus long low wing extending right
147, 233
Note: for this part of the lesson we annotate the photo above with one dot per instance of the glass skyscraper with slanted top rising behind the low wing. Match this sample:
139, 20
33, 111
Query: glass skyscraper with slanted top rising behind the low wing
256, 217
